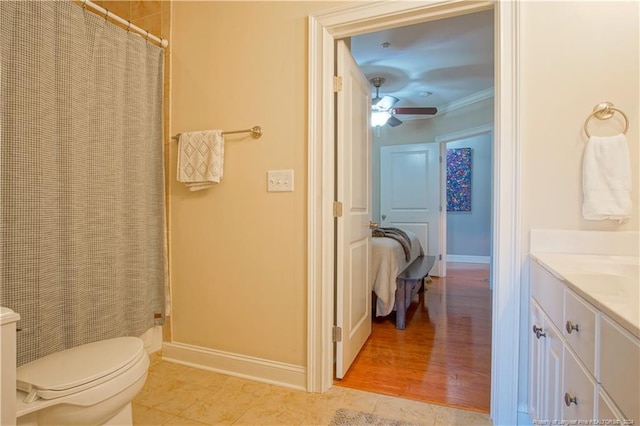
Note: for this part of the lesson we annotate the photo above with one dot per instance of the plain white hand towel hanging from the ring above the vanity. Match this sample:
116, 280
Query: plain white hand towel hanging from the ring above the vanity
606, 179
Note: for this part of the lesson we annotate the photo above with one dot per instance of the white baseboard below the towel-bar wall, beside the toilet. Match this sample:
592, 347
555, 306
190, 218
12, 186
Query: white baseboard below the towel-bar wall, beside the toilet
246, 367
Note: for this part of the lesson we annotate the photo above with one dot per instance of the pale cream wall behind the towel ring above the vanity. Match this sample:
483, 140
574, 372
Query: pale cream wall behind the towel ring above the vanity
574, 55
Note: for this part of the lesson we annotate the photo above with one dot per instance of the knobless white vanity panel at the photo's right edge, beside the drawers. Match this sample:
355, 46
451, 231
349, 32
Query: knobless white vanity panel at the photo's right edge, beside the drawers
620, 367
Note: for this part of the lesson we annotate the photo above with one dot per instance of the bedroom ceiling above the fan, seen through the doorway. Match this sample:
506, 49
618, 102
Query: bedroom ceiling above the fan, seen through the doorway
430, 64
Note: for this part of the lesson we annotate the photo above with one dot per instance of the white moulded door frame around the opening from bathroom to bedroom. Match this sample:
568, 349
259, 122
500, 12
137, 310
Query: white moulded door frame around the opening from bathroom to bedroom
358, 18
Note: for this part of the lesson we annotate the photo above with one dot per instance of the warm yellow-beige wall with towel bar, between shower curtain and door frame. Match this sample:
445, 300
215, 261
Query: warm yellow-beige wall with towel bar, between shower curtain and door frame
238, 257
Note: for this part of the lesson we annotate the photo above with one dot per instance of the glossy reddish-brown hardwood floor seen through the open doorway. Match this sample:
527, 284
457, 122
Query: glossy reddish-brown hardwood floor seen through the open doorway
444, 354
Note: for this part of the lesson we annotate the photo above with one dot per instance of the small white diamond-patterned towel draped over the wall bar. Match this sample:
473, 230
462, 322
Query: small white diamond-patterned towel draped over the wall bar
200, 159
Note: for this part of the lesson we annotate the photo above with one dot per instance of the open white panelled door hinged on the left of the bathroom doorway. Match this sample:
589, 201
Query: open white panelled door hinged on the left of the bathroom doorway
353, 237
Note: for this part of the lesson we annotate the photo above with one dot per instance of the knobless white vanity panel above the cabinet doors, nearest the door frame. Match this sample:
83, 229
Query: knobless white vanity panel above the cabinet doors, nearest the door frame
548, 291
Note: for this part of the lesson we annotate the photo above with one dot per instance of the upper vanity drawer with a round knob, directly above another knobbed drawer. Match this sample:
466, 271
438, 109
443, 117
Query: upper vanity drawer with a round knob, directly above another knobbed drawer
580, 328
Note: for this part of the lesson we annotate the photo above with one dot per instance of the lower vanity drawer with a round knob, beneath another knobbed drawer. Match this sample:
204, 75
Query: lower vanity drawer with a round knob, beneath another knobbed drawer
579, 390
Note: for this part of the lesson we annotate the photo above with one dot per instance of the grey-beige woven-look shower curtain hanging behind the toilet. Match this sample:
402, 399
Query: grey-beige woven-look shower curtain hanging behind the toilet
82, 237
